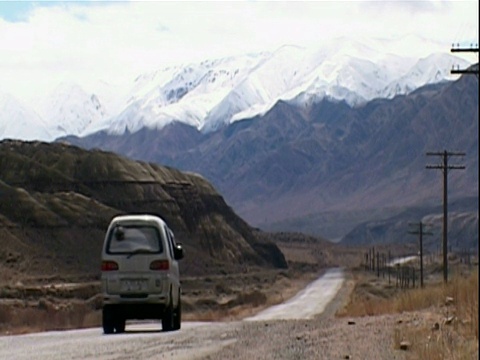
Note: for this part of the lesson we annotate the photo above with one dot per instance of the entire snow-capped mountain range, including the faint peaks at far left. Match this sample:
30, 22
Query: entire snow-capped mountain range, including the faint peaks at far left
214, 93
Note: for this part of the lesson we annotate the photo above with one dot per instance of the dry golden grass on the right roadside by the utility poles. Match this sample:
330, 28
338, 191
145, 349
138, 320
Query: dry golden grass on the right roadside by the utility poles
439, 321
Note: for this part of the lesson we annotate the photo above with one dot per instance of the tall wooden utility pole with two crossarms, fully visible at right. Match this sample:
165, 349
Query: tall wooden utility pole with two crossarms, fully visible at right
445, 167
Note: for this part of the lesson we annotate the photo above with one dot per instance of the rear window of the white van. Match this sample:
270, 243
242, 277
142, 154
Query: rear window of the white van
134, 239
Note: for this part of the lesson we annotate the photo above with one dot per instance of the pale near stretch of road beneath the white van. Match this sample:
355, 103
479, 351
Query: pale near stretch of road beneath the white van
140, 341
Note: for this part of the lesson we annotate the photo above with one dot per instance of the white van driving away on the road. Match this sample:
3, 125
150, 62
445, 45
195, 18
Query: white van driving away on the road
140, 273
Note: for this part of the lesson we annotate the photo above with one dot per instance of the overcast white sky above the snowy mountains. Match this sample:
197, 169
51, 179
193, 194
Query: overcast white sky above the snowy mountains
45, 43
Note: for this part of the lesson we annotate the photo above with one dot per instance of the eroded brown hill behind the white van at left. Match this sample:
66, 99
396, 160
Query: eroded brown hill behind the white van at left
57, 200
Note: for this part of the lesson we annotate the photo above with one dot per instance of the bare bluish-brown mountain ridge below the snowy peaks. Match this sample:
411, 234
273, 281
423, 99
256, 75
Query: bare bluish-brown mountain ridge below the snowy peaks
298, 161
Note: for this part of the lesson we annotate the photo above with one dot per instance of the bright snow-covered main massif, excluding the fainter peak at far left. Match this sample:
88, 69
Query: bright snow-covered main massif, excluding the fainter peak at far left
213, 94
